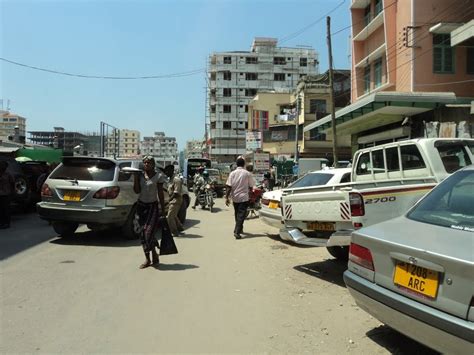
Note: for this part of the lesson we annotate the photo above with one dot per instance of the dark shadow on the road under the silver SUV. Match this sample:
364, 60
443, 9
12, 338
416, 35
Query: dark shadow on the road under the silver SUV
102, 239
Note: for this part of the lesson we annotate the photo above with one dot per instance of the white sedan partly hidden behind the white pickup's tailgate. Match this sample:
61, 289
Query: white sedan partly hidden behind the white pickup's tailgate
270, 212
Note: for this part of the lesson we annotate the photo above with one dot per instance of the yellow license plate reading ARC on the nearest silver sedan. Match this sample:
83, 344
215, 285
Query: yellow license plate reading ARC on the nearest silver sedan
416, 278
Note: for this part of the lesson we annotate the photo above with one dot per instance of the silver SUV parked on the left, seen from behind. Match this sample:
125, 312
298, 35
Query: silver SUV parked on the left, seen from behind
92, 191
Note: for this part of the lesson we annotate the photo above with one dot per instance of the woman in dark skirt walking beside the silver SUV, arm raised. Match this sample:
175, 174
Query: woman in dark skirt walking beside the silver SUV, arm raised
149, 186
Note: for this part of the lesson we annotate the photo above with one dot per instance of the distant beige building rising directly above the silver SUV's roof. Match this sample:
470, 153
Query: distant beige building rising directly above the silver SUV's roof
123, 143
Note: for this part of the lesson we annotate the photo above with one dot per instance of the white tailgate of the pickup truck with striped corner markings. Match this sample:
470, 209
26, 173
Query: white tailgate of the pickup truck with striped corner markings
332, 206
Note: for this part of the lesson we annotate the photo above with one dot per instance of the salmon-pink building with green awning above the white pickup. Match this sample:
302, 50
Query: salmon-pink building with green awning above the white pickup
412, 72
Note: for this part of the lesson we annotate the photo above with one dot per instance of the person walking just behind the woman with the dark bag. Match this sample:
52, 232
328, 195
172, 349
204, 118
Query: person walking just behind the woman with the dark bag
175, 192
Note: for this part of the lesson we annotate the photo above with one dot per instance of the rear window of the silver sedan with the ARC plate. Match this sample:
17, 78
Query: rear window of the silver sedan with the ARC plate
449, 204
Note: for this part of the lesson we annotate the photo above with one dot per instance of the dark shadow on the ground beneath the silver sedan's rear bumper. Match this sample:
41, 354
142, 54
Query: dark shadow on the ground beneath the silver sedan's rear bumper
397, 343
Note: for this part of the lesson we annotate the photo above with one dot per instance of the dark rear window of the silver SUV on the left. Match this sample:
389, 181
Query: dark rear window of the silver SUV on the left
85, 170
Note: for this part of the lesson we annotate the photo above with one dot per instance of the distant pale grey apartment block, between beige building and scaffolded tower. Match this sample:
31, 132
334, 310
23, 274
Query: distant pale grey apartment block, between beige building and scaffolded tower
164, 149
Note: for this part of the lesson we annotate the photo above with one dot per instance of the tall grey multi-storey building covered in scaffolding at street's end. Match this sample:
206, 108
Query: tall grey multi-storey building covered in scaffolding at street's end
236, 77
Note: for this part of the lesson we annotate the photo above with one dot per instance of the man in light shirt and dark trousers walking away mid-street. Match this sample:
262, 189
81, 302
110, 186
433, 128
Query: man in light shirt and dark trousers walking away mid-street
238, 185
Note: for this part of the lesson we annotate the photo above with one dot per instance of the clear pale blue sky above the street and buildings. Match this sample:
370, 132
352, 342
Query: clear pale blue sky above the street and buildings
139, 38
